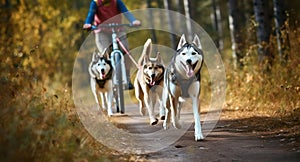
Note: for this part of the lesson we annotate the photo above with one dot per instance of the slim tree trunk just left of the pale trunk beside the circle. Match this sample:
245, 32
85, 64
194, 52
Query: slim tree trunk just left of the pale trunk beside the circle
217, 24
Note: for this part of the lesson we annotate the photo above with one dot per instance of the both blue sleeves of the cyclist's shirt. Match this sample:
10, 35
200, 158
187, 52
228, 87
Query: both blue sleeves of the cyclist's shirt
121, 6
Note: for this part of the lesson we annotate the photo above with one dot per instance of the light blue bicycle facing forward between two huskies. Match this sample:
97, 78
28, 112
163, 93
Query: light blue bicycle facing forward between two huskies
117, 59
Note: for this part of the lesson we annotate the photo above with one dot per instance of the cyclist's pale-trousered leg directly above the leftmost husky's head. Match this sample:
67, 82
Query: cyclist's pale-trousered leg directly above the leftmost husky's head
103, 41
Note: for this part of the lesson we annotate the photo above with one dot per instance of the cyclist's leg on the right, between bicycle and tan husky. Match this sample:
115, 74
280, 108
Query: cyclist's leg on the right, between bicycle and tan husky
128, 63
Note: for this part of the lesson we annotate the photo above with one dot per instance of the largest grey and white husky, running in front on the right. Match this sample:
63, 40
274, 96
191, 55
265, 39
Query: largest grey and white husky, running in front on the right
182, 80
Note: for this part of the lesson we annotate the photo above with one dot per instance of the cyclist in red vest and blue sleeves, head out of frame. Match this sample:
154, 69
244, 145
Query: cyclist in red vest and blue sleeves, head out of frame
109, 11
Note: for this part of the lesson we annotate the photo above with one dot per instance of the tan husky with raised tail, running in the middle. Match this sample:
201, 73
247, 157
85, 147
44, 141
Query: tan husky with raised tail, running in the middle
148, 83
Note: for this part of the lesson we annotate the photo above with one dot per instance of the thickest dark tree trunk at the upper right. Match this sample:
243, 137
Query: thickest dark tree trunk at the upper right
262, 17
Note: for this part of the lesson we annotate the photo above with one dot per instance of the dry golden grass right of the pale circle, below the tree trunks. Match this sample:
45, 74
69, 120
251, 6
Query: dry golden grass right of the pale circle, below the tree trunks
267, 102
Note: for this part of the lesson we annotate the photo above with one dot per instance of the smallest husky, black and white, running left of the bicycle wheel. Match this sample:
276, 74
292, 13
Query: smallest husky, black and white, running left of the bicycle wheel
101, 72
